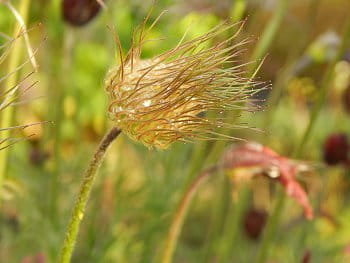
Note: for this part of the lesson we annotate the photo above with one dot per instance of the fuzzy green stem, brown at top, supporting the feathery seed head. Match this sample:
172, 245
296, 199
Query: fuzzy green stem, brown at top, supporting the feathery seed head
83, 195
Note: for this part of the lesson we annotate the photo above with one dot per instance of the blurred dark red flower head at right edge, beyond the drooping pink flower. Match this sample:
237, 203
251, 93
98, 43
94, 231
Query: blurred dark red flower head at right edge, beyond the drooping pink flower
336, 149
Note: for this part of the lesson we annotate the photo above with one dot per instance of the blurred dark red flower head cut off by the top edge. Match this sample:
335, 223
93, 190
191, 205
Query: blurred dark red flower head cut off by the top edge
79, 12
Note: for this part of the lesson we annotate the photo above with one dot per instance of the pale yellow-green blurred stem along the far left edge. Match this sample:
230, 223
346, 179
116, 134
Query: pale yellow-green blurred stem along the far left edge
14, 61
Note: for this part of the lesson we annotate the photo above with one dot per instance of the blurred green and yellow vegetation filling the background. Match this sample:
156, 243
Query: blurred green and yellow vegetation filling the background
137, 189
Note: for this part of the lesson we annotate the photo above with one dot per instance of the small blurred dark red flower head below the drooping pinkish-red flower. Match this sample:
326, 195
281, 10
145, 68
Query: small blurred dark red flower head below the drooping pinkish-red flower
254, 222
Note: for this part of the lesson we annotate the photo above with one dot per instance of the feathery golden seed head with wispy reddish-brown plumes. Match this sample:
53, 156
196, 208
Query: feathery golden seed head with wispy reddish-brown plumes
167, 98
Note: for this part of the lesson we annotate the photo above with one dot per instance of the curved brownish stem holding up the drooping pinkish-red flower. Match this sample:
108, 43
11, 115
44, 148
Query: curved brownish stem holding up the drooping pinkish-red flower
180, 214
